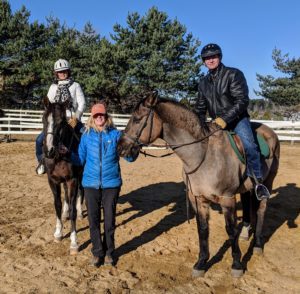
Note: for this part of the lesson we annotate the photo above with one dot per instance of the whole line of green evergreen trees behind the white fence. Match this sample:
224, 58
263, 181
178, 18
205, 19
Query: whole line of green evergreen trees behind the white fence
151, 52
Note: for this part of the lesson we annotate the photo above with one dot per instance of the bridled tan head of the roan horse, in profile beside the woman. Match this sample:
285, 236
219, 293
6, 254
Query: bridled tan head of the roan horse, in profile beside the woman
144, 126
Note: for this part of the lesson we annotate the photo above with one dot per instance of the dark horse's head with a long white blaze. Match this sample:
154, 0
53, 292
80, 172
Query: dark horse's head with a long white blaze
56, 129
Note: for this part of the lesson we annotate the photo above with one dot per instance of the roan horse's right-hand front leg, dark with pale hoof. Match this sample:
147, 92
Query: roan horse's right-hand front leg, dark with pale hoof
229, 210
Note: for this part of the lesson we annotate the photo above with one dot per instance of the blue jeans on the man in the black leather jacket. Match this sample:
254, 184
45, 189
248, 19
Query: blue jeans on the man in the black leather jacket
244, 131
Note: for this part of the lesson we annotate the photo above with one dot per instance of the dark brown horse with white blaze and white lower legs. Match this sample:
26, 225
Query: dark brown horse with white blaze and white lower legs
60, 139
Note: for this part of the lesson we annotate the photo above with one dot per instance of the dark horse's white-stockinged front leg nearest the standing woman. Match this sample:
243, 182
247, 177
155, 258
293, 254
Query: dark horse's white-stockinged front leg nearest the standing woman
72, 192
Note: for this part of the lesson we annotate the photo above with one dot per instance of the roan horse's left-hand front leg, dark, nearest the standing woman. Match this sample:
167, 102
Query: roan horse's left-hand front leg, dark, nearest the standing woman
201, 207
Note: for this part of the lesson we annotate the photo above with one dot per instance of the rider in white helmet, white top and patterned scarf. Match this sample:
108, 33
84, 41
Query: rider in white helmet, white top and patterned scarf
64, 88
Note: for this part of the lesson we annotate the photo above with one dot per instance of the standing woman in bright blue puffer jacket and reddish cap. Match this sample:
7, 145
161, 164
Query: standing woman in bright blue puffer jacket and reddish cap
101, 180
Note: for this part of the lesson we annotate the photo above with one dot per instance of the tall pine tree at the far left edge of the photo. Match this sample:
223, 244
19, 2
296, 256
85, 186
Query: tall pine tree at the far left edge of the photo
22, 52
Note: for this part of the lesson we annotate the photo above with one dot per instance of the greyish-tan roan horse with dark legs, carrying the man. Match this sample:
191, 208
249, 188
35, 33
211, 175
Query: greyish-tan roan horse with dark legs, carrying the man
211, 168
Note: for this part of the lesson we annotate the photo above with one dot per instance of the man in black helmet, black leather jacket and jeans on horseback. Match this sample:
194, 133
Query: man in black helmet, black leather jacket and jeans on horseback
223, 92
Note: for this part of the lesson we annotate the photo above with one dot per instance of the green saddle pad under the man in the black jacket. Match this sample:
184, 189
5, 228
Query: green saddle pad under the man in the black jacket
238, 148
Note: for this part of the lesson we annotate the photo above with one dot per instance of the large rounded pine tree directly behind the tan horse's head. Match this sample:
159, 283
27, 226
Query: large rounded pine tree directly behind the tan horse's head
154, 52
